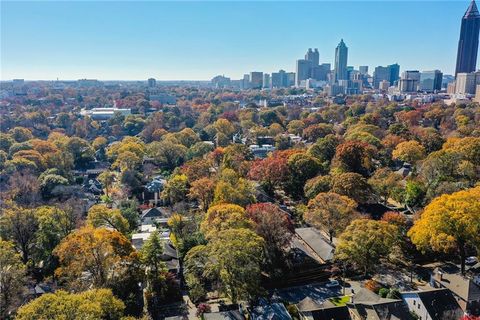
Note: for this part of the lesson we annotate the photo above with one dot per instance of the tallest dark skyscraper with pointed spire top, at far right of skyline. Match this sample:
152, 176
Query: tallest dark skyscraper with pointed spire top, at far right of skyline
468, 42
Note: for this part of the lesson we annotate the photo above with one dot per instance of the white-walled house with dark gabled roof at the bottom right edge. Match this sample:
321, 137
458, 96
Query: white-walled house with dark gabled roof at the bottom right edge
434, 304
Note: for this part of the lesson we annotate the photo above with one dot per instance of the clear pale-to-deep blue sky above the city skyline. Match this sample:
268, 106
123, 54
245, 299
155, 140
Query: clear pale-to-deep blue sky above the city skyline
113, 40
